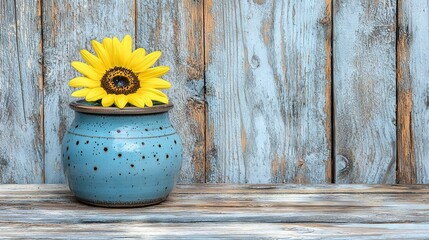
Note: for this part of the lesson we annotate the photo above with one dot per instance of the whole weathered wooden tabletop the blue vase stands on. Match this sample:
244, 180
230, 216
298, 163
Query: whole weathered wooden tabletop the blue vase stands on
224, 211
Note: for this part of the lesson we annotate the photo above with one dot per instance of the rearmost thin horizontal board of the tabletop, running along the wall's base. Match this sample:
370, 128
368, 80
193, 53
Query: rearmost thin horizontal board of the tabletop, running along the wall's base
53, 190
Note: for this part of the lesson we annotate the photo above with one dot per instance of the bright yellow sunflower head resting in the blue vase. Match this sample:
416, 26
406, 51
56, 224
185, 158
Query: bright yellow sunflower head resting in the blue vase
117, 75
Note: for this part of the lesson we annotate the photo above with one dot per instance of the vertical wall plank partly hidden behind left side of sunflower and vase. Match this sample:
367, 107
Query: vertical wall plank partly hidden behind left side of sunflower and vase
68, 27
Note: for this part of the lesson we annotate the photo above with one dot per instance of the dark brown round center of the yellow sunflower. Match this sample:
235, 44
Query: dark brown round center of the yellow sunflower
119, 80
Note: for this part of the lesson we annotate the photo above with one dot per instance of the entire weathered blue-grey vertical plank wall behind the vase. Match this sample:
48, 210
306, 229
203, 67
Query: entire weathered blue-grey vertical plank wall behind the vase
265, 91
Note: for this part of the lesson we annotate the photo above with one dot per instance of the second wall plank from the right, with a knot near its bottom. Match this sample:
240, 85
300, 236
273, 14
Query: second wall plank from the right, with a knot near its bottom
364, 91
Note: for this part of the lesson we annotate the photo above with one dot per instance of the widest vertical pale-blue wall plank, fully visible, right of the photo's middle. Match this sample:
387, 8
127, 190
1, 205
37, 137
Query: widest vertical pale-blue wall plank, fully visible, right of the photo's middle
268, 91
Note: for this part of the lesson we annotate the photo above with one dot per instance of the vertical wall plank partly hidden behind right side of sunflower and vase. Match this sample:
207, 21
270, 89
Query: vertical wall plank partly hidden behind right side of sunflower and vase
176, 28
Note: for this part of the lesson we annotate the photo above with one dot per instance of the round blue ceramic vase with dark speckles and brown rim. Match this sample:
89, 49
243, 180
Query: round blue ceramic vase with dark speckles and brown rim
121, 157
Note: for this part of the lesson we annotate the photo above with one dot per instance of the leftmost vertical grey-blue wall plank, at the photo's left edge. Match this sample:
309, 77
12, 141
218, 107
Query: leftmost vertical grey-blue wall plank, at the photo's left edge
21, 88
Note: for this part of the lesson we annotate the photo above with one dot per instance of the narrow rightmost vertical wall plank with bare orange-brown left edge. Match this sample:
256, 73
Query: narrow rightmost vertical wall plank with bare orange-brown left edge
413, 92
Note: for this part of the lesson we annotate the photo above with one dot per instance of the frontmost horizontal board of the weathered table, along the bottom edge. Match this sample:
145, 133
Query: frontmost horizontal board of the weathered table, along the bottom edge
218, 230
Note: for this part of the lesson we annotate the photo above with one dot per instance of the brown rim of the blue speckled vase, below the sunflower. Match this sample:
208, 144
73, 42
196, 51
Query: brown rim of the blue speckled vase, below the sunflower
86, 107
